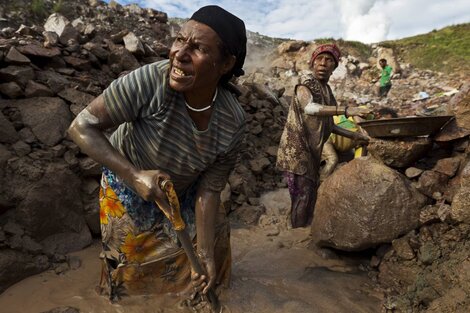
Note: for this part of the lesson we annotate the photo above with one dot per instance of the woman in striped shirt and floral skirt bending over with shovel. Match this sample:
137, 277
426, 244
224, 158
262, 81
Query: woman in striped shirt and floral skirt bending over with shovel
177, 121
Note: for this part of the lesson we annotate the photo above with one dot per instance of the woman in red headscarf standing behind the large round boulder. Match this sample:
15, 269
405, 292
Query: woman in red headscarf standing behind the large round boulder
308, 126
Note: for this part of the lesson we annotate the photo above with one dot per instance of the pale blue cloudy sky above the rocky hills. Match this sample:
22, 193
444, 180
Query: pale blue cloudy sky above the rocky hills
367, 21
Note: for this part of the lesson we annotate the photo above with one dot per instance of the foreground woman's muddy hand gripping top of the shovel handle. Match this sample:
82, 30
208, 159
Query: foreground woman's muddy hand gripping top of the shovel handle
146, 184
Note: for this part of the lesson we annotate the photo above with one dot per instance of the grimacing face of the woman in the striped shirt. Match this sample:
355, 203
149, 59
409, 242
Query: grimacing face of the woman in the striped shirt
196, 59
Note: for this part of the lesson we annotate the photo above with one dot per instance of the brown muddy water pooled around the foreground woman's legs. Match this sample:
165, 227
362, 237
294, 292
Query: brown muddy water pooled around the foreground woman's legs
273, 271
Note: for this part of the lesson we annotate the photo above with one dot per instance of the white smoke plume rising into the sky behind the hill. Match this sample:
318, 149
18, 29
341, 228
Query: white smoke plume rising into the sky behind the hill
364, 20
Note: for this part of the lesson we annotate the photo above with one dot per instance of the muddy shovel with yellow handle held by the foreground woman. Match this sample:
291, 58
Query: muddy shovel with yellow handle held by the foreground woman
174, 216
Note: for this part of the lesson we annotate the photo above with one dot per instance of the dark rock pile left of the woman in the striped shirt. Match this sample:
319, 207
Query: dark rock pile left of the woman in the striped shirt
49, 73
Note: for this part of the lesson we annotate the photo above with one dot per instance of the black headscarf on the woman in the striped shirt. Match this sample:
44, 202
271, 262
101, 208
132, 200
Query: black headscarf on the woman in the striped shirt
231, 31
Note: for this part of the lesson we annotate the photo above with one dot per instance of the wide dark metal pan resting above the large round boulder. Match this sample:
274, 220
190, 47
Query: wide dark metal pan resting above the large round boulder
405, 126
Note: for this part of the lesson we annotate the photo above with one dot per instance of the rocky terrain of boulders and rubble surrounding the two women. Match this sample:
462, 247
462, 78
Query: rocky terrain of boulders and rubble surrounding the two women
409, 215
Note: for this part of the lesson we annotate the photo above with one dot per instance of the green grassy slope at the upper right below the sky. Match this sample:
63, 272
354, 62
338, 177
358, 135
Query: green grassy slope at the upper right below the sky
446, 50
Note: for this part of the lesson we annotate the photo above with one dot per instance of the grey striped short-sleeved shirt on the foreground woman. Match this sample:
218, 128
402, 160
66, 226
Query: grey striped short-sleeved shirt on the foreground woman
156, 131
